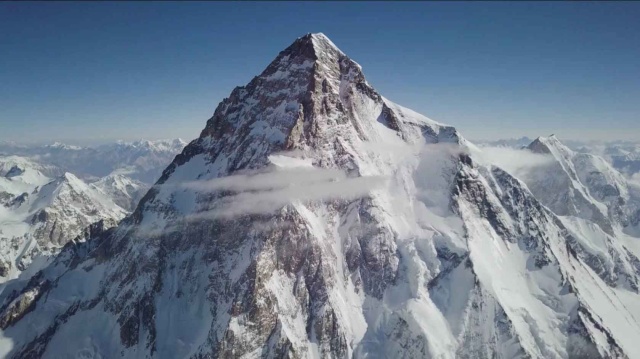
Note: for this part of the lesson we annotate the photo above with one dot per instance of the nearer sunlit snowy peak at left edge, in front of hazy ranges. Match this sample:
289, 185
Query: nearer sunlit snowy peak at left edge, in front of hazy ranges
40, 214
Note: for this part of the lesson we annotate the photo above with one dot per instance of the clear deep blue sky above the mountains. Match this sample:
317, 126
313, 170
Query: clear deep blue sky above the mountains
97, 71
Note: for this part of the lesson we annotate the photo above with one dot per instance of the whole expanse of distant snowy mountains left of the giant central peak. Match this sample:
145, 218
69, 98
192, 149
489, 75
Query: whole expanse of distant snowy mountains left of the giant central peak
51, 195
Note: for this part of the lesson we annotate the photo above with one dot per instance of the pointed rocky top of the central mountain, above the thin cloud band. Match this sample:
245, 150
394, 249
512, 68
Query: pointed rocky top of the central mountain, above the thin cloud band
311, 97
